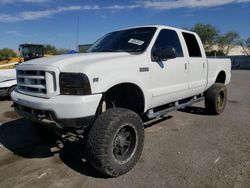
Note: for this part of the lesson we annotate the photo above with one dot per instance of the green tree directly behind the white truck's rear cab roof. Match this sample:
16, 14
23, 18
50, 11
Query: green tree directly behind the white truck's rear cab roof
207, 33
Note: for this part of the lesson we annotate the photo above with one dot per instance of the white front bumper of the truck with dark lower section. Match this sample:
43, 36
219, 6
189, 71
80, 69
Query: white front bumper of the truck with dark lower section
65, 110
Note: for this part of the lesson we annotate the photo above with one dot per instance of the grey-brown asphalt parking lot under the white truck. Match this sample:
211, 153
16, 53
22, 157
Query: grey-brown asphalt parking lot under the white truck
187, 149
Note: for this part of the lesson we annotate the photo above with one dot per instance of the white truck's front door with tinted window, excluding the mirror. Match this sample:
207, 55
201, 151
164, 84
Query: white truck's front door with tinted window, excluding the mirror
169, 79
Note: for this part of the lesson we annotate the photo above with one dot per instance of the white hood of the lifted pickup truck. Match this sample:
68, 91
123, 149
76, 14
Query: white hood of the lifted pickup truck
72, 62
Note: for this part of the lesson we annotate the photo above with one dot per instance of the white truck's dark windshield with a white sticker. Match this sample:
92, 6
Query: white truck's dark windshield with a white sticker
130, 40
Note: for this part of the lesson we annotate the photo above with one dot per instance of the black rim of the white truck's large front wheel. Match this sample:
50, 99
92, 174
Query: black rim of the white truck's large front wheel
124, 143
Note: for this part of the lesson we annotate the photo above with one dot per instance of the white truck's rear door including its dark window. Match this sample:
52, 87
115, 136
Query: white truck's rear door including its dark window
197, 64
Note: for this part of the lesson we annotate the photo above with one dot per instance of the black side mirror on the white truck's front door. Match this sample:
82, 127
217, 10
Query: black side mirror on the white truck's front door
164, 53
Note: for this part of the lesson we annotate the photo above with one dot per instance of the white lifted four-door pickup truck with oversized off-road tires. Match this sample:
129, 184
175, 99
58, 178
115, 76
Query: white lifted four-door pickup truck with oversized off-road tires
126, 78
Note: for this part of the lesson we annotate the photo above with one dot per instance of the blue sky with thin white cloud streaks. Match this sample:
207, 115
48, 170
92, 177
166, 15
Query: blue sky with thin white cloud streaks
55, 21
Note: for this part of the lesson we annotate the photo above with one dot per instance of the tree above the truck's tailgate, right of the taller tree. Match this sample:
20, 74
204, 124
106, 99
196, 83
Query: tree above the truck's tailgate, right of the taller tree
228, 41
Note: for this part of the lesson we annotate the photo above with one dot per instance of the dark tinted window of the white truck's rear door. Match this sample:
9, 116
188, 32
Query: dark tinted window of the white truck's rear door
192, 45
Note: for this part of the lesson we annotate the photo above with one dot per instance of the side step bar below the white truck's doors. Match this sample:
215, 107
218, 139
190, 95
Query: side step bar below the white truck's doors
151, 114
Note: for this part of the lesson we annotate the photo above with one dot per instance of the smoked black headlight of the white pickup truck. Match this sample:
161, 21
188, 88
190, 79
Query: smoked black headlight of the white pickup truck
74, 84
